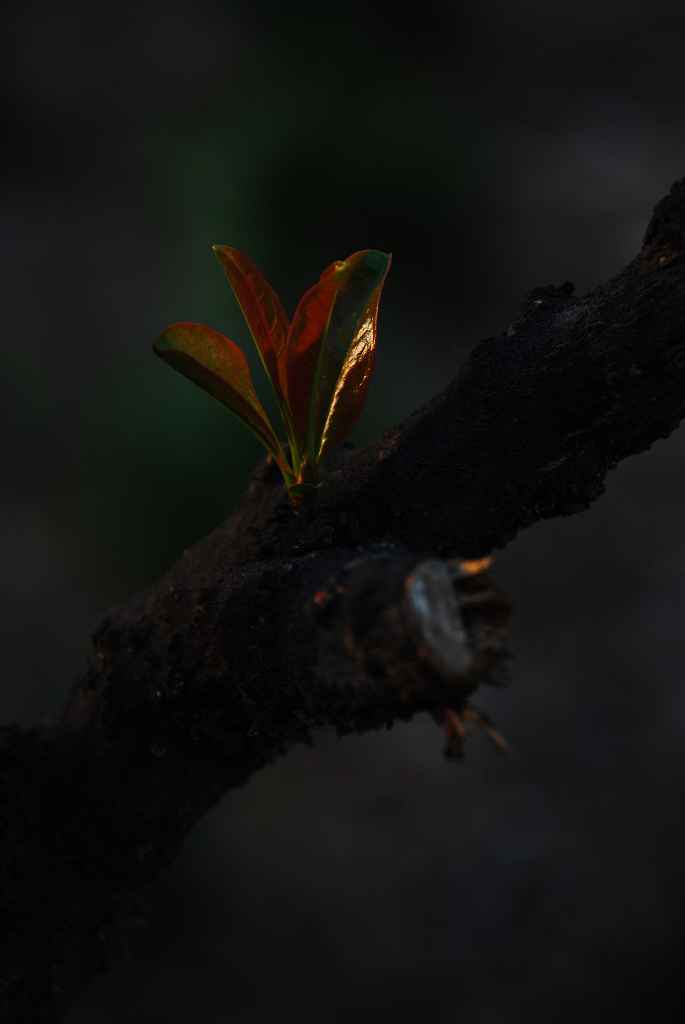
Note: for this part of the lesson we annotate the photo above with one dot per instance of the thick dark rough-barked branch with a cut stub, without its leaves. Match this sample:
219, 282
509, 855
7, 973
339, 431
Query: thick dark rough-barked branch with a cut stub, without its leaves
344, 615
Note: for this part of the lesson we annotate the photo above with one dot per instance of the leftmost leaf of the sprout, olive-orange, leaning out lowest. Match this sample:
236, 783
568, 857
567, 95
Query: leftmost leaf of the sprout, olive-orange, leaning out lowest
219, 366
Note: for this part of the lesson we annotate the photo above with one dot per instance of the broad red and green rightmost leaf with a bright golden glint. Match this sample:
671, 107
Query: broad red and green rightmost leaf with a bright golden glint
331, 351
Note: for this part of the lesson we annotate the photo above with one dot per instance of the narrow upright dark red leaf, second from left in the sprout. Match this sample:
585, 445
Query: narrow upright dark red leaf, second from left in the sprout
261, 307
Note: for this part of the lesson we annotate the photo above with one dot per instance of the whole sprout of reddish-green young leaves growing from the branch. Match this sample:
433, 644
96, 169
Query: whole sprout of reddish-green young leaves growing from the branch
320, 364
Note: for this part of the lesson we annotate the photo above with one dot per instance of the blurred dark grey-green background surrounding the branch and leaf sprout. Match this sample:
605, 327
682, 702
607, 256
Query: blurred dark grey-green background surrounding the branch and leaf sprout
492, 147
